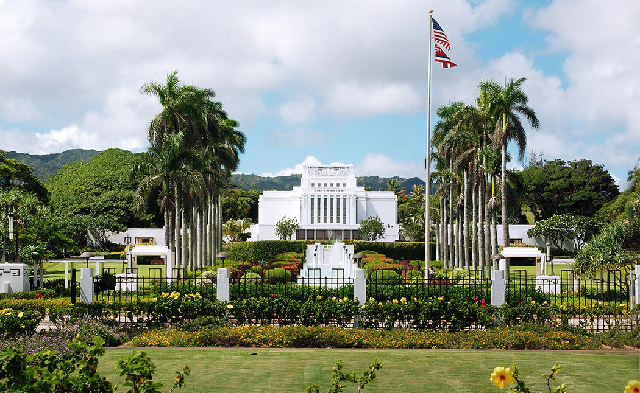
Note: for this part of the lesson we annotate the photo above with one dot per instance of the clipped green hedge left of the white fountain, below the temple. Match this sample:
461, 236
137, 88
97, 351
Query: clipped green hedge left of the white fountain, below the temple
264, 250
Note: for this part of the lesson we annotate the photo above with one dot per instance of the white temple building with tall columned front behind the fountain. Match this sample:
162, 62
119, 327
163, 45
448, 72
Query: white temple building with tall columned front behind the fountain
328, 205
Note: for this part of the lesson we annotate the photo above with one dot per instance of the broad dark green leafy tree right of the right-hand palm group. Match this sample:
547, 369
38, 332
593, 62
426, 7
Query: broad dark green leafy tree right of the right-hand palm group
573, 187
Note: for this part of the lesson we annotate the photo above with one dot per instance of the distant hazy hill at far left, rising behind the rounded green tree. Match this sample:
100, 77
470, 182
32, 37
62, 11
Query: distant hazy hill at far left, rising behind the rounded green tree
47, 165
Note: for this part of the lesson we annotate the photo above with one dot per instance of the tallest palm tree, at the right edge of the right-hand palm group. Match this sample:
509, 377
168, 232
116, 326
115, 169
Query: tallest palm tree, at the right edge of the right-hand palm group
506, 105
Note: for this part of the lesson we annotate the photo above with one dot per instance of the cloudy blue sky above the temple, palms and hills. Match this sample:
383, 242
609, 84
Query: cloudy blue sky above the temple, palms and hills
320, 81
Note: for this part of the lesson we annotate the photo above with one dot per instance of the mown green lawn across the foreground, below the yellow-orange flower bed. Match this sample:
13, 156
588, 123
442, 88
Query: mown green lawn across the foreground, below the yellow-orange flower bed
292, 370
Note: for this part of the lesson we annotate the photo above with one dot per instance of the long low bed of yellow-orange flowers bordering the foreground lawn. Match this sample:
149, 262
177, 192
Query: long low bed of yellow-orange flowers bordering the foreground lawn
336, 337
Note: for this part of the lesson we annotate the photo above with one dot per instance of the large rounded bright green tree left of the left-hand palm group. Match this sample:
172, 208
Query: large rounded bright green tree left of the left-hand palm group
97, 196
